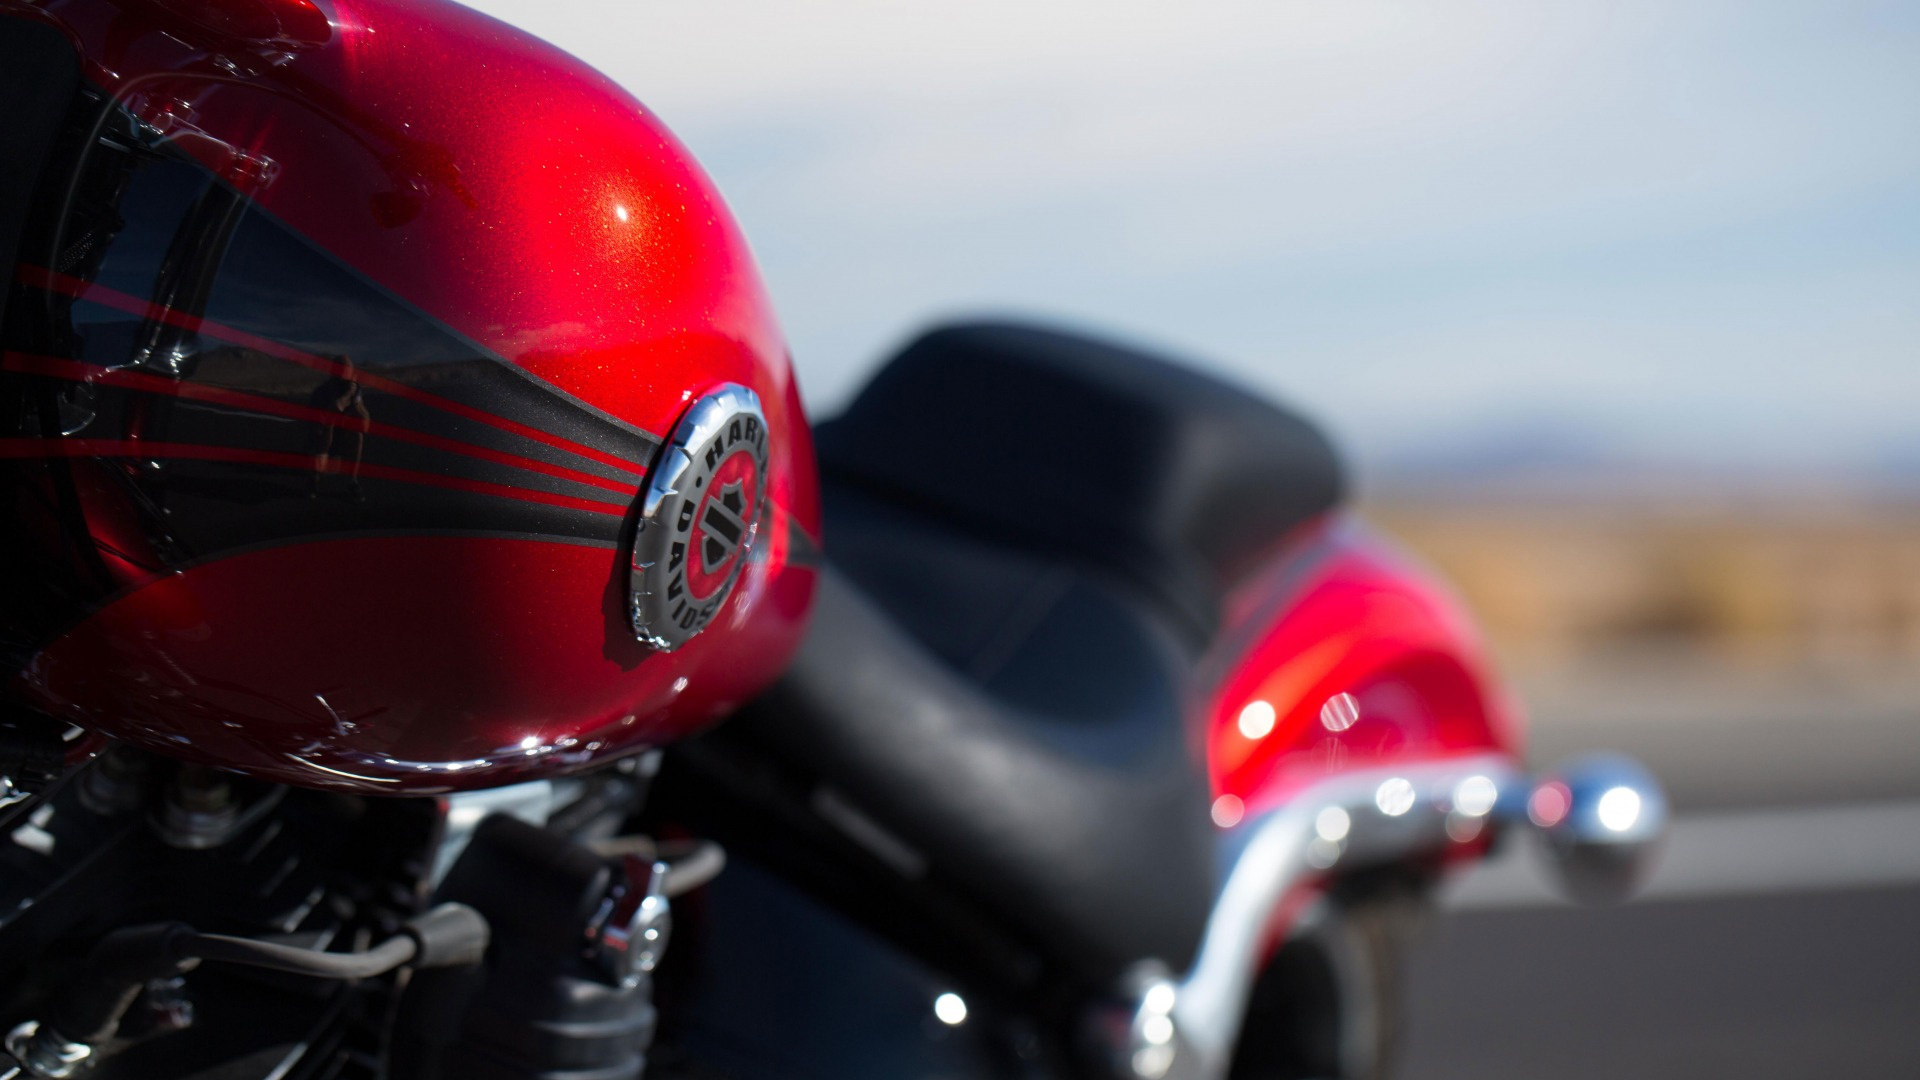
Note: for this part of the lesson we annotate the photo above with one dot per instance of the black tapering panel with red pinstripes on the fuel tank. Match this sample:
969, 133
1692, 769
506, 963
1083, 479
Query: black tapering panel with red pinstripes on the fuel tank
183, 378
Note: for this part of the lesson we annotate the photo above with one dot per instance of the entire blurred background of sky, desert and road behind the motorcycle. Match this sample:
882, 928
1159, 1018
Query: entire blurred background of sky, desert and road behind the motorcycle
1616, 308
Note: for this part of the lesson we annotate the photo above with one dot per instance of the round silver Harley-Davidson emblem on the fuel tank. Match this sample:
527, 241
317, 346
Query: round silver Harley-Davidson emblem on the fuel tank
698, 520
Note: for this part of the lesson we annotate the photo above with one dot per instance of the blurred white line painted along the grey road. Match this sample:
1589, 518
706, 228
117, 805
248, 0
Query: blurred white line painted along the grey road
1733, 854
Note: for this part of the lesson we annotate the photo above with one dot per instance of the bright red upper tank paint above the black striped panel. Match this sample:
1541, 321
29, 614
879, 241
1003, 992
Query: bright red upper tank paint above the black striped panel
473, 170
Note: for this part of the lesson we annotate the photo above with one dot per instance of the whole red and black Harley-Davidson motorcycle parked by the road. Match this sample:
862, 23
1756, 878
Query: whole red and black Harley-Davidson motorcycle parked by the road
443, 649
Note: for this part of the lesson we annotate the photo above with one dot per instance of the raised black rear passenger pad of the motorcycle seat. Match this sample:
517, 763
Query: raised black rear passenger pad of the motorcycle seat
1088, 451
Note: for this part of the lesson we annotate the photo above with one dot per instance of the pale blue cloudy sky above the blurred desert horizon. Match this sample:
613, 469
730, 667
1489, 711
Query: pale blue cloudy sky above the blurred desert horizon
1598, 233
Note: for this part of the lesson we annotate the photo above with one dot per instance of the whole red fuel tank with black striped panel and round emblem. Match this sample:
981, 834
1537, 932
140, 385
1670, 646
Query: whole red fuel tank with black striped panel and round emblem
389, 403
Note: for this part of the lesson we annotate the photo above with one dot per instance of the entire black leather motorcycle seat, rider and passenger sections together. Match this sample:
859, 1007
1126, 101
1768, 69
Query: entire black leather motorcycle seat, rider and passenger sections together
1028, 537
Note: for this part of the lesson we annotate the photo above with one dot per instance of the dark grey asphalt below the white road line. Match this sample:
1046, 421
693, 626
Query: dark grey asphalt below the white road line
1794, 987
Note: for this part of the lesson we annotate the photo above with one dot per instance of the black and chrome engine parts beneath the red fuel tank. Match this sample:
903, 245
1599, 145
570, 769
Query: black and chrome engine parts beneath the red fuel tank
170, 921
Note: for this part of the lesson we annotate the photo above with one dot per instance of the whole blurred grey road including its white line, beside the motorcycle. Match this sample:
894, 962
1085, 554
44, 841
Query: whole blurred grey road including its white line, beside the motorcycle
1781, 937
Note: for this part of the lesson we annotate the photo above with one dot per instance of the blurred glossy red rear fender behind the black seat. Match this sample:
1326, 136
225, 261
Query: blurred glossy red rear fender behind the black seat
1343, 614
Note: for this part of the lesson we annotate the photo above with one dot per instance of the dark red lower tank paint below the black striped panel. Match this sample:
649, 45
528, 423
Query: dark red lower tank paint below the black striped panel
268, 664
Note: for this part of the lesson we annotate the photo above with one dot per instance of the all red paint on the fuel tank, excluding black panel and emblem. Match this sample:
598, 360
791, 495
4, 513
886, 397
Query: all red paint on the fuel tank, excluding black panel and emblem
523, 203
